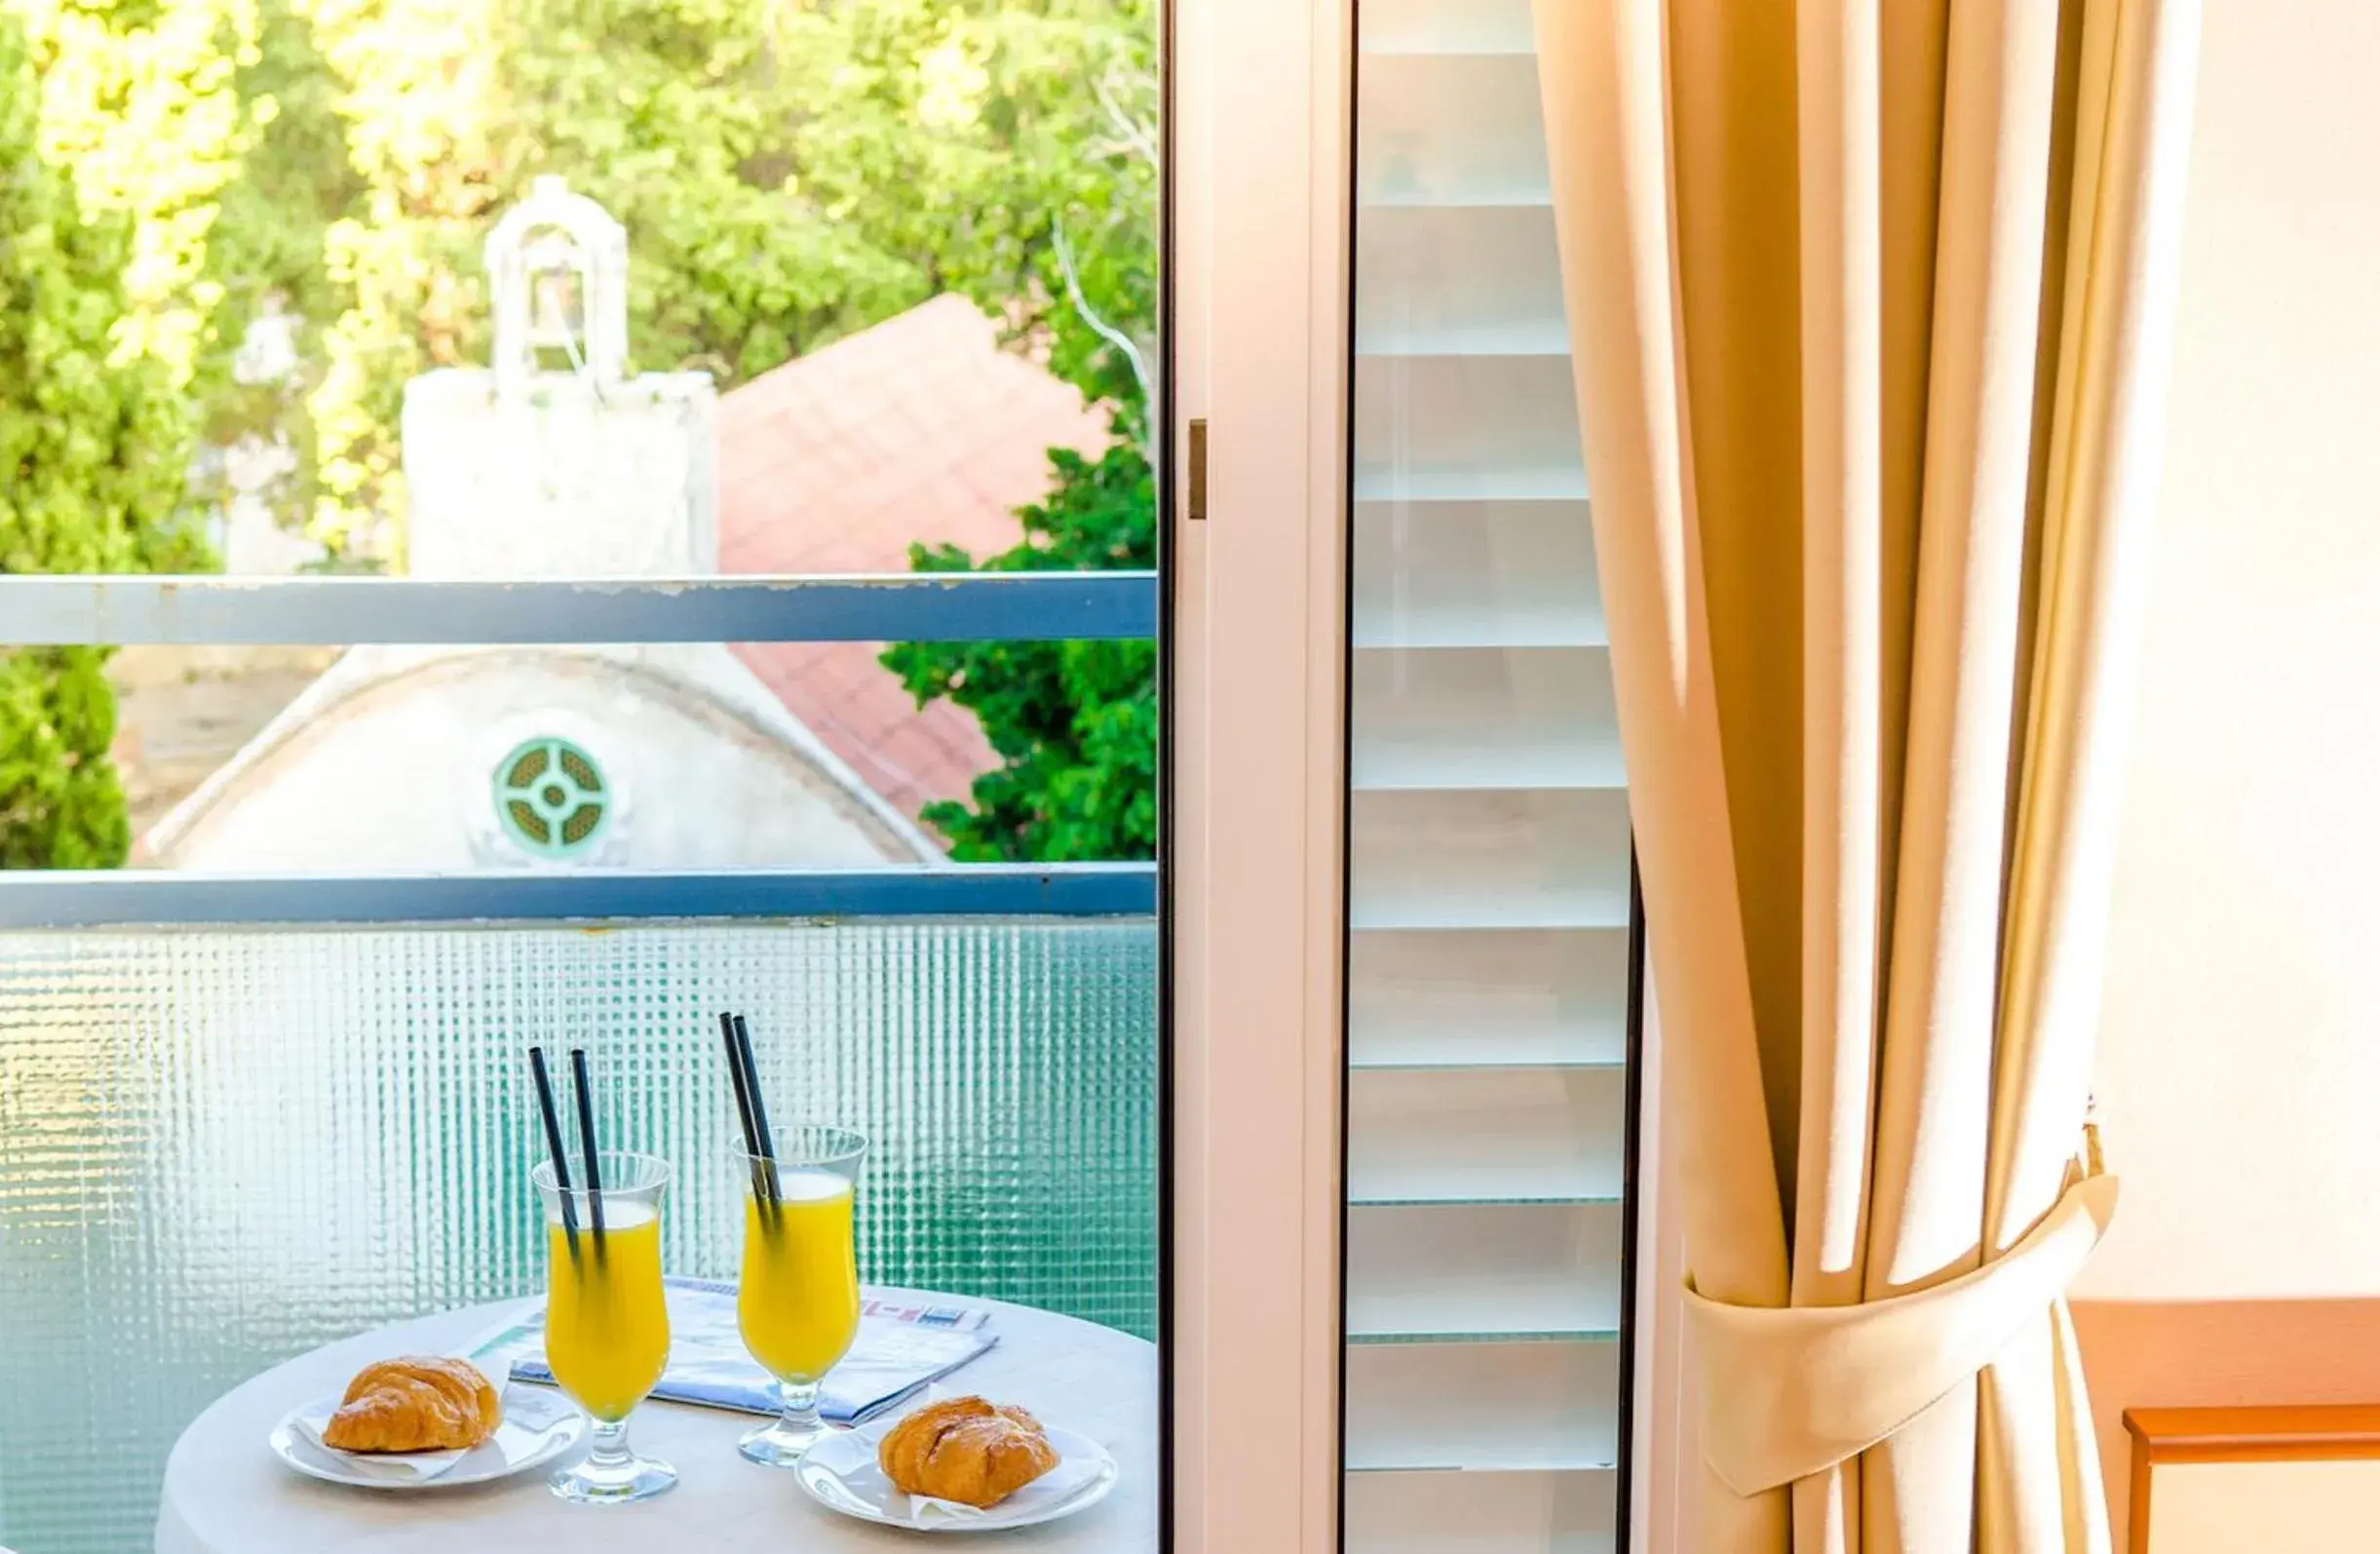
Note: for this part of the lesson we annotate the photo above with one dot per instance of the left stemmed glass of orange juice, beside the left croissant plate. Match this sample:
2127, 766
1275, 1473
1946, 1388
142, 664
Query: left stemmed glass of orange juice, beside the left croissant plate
606, 1324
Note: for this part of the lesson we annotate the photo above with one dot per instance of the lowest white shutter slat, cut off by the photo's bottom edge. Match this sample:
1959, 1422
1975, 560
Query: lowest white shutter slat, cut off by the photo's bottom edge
1482, 1512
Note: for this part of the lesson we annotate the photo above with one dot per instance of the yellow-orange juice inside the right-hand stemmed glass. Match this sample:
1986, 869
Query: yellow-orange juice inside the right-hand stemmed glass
801, 1282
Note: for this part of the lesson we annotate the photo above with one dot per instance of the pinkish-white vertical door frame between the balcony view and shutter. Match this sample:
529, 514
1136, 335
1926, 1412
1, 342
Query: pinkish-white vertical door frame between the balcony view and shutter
1260, 308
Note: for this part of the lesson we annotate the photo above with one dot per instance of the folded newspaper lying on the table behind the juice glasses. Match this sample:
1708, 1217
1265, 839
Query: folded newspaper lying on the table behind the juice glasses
898, 1353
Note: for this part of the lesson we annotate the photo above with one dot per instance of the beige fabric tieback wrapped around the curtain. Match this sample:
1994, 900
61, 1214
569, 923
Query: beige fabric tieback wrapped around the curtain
1812, 1386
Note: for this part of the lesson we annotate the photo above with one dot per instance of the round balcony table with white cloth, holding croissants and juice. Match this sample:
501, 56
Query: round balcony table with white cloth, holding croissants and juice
225, 1493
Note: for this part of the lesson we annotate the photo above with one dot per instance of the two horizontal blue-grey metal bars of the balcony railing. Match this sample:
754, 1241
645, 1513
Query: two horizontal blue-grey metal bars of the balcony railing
901, 608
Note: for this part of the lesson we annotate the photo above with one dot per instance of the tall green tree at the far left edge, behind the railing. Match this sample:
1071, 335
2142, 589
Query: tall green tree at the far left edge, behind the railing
94, 444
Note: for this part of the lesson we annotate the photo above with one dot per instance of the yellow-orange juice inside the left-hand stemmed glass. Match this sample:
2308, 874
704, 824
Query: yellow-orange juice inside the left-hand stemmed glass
606, 1324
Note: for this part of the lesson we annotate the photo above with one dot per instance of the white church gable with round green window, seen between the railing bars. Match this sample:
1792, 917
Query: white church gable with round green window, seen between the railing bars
520, 758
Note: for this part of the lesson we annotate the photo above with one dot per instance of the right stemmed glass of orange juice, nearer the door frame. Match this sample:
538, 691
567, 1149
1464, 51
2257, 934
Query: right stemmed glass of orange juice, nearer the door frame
798, 1303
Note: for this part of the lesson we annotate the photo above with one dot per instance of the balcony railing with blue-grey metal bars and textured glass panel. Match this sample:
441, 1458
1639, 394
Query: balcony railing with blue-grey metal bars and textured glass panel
246, 1115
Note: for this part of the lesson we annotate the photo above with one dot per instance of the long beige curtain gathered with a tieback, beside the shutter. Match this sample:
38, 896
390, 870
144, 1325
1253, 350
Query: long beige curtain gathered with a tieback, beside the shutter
1872, 313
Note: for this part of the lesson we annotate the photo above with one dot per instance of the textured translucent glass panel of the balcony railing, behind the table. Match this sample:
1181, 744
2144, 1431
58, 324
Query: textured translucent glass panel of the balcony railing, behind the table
223, 1148
